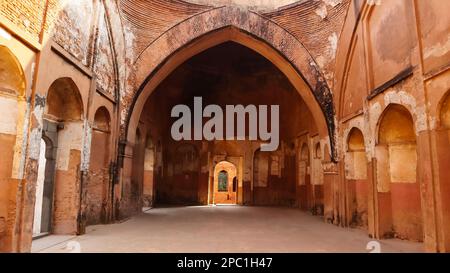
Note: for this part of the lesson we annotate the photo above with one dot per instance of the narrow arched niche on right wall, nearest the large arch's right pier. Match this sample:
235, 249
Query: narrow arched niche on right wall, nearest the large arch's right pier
356, 179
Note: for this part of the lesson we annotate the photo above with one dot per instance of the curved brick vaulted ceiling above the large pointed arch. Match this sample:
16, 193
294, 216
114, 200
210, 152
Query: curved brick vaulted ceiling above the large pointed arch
315, 23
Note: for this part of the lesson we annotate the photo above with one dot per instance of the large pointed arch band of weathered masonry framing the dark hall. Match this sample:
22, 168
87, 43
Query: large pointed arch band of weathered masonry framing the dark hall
249, 29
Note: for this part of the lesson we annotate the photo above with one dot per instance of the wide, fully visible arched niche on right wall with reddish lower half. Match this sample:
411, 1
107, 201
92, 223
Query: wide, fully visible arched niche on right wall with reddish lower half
399, 199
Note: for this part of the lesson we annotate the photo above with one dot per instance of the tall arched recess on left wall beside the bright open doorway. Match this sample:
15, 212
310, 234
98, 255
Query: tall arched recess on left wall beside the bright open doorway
64, 125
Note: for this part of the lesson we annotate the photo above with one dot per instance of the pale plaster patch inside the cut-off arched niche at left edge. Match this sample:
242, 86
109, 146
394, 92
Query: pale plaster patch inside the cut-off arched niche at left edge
8, 121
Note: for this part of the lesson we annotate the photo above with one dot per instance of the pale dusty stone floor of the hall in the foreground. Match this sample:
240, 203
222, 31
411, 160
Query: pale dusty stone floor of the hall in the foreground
220, 229
